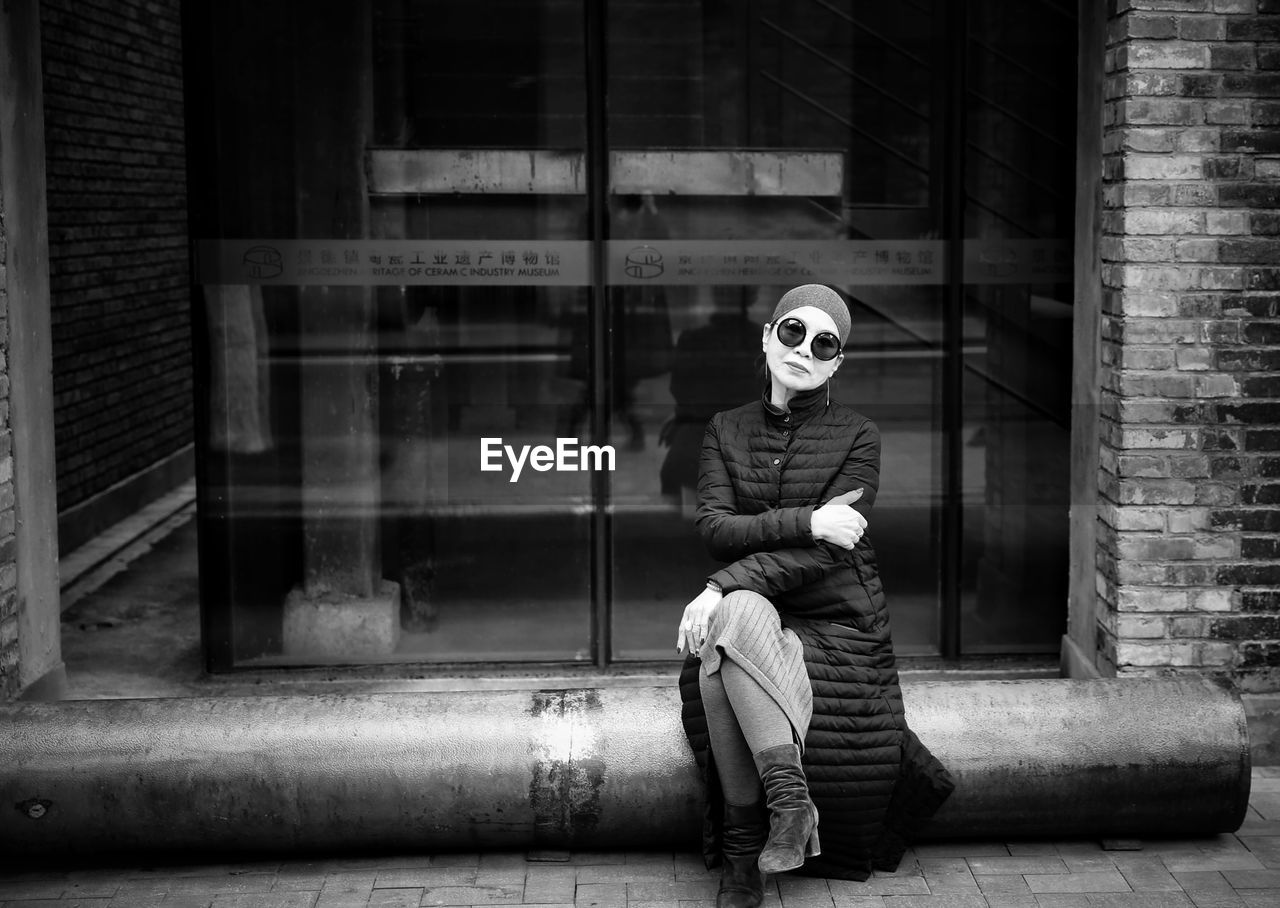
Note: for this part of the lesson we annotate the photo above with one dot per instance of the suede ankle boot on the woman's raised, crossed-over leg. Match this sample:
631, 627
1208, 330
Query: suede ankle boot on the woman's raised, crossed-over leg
793, 818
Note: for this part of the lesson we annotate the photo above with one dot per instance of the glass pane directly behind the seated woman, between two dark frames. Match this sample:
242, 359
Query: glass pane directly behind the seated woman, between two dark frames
755, 148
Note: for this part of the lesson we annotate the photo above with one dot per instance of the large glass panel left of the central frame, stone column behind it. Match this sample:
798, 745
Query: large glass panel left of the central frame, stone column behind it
395, 270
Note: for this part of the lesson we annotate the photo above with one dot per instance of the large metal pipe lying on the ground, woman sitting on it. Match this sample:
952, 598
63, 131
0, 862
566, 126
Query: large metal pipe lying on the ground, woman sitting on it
568, 769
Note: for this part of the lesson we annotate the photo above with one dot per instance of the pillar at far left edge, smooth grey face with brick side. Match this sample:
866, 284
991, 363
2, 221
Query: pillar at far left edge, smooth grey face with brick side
30, 619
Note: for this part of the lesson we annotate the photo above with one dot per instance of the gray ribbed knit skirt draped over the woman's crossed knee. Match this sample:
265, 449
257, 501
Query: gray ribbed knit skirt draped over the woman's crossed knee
746, 629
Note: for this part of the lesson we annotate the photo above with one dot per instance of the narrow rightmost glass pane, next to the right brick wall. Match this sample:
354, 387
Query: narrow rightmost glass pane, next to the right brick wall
1018, 326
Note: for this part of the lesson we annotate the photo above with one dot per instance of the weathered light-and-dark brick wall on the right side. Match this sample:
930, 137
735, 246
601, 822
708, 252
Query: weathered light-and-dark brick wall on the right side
1190, 482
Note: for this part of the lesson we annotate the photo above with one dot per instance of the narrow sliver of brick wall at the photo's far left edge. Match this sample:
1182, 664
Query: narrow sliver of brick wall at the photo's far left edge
8, 555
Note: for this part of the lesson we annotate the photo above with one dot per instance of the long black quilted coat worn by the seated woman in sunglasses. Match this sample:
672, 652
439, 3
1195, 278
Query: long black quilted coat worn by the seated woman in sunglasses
762, 474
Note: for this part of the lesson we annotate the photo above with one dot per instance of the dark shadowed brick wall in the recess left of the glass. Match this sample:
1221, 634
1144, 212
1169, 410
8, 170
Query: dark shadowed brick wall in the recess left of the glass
118, 239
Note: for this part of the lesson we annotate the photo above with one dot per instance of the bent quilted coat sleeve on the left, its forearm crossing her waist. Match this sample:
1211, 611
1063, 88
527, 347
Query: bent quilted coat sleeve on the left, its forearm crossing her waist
729, 535
